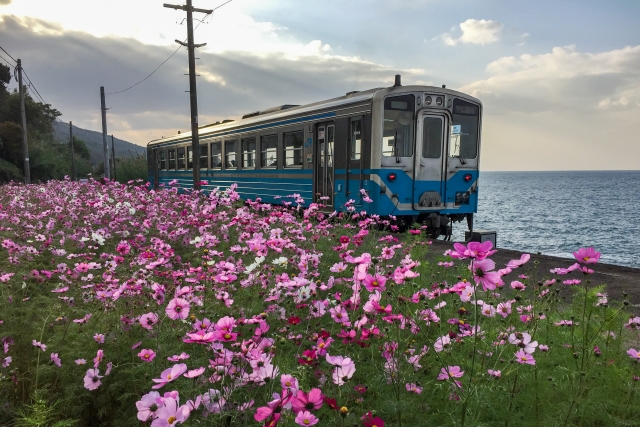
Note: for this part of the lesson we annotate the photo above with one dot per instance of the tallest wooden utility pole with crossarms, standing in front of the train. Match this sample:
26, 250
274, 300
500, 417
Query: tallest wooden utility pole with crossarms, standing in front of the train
195, 144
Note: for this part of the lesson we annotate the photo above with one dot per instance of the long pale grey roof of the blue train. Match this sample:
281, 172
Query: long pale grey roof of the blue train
288, 110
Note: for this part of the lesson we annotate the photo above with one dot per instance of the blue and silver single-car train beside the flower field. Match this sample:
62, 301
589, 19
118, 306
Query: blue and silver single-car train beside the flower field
409, 153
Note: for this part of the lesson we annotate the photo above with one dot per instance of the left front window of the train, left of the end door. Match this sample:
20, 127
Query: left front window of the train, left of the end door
397, 134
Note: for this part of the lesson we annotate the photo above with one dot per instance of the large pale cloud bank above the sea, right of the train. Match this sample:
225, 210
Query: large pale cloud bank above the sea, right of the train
561, 110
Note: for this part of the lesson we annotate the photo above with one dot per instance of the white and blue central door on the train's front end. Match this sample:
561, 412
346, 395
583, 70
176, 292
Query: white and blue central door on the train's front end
429, 178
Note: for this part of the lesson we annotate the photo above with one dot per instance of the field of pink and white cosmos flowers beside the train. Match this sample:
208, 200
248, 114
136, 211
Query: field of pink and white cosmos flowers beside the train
123, 306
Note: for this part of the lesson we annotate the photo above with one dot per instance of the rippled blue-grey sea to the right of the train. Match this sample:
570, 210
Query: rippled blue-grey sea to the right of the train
556, 213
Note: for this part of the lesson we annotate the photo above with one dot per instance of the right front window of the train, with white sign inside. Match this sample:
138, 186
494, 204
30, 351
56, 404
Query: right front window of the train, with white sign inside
463, 140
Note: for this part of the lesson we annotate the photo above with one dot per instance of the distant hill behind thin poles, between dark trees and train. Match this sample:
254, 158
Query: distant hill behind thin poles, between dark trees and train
93, 140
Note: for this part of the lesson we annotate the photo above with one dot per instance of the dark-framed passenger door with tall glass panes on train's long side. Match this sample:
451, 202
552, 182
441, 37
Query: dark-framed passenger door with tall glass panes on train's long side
324, 176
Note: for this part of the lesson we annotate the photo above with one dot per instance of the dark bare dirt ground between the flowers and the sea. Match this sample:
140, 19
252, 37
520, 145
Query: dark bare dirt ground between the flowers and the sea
618, 279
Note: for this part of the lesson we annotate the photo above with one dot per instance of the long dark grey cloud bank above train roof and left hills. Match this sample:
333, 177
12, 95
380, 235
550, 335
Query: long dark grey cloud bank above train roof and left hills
69, 67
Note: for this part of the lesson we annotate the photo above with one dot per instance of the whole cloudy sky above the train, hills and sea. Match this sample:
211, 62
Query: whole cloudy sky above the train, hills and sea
559, 79
